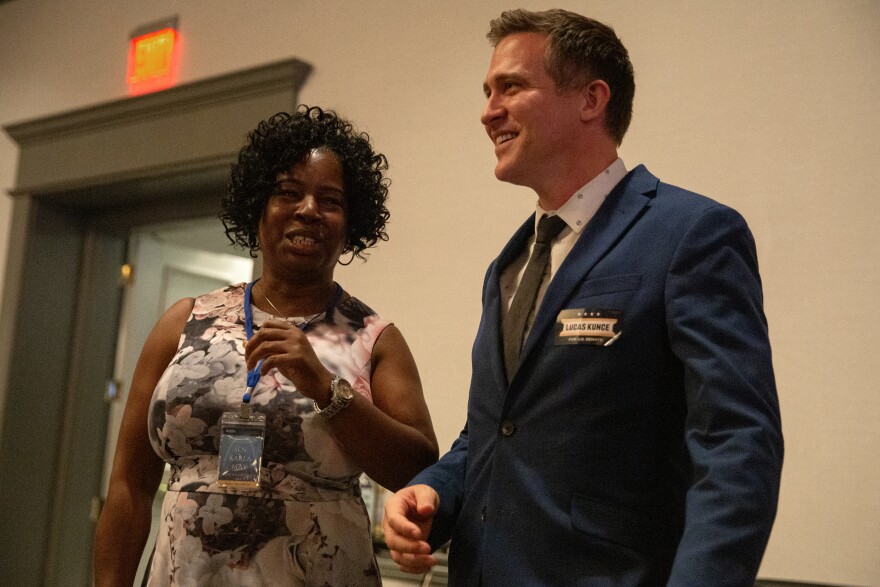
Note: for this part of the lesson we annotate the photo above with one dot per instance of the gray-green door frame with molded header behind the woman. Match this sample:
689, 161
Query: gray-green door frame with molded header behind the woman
85, 178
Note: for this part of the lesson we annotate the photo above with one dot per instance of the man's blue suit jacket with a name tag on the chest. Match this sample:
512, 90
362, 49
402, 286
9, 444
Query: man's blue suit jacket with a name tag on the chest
653, 460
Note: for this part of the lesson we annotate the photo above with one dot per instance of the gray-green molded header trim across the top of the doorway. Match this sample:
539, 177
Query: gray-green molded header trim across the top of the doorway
200, 125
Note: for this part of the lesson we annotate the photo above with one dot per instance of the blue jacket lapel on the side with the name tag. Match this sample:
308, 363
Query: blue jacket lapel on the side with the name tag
620, 209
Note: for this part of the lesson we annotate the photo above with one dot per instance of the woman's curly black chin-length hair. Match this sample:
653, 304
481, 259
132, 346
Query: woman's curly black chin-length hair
284, 140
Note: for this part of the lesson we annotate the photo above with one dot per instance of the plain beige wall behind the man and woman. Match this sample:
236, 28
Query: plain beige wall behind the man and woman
766, 106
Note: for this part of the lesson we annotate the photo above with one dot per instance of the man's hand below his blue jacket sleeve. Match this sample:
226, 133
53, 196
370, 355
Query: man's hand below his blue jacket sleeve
407, 523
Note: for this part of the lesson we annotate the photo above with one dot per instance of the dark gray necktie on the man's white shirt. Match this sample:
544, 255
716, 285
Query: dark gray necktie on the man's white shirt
524, 299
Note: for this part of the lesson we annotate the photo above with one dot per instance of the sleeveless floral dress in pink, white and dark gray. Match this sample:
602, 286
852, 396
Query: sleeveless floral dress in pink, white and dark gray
306, 524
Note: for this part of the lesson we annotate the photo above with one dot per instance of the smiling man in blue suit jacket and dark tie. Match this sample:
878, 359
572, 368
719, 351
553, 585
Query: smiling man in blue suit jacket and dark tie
634, 437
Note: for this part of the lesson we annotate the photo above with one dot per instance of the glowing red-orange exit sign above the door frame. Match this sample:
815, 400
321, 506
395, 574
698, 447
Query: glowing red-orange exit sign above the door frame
152, 57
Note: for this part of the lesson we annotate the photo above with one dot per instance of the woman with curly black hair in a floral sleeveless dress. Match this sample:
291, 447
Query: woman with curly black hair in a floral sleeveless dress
335, 386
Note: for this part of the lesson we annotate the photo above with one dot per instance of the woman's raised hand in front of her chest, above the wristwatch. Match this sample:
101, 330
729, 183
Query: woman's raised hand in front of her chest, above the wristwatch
280, 344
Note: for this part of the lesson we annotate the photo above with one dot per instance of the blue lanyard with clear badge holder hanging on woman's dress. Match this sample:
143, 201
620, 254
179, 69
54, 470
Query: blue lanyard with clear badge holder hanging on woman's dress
242, 433
